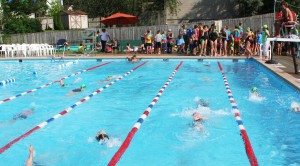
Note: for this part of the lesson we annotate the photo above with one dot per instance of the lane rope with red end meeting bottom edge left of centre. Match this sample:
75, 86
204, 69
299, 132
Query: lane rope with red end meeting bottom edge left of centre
139, 122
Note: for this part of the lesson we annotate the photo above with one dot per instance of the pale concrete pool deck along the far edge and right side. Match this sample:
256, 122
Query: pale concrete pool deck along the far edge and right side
284, 68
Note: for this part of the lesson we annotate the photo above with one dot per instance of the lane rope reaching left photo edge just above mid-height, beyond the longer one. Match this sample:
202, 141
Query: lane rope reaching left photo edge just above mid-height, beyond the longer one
50, 83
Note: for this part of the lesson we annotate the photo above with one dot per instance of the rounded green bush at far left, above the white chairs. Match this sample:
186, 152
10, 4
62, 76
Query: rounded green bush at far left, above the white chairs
22, 25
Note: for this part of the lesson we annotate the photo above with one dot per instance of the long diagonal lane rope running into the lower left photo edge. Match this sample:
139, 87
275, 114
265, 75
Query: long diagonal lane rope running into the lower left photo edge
67, 110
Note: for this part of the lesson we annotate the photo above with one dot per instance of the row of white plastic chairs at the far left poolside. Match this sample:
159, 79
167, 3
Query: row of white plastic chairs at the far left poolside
24, 50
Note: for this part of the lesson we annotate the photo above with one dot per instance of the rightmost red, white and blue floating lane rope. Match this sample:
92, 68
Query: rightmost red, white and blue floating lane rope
247, 143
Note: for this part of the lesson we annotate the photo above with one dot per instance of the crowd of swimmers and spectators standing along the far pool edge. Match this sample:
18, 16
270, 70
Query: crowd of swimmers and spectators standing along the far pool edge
204, 40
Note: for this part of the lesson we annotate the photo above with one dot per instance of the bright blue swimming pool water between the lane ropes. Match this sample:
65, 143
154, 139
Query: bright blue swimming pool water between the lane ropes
167, 136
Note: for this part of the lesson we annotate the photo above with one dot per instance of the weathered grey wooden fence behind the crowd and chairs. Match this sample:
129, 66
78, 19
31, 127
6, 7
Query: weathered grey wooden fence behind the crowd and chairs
134, 33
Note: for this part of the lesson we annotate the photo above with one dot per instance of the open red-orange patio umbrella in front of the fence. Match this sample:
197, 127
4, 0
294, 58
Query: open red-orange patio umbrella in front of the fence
119, 19
